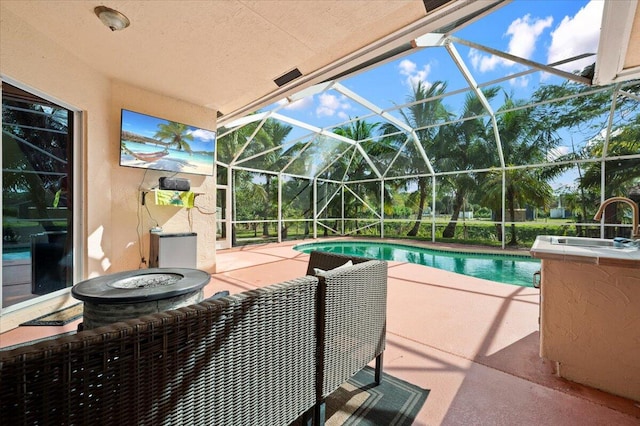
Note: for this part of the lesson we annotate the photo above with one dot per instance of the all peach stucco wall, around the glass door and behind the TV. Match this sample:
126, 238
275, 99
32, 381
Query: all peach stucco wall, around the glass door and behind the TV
110, 206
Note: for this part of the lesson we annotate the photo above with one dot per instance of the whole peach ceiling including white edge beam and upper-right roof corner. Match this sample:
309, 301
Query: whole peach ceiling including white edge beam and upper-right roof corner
225, 55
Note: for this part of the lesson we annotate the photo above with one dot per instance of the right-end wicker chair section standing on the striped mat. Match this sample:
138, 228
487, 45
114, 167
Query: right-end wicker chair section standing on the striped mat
352, 307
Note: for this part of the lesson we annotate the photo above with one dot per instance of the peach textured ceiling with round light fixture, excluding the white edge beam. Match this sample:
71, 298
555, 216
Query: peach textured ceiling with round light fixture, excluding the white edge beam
218, 54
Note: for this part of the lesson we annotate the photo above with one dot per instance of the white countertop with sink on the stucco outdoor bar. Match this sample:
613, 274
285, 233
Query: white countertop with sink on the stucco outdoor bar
543, 248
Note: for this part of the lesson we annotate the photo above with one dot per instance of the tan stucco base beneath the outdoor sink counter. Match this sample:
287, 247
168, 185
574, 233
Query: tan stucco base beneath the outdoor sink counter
590, 324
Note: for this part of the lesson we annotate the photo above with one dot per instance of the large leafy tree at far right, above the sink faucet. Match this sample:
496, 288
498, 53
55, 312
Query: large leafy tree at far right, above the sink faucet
590, 114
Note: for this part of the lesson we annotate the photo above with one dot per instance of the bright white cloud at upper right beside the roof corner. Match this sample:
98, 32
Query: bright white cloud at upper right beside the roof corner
576, 35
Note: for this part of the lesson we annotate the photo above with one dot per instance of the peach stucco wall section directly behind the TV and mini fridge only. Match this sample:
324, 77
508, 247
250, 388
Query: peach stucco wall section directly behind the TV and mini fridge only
126, 182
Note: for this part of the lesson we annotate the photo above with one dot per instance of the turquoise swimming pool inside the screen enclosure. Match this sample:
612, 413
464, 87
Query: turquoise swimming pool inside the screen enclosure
503, 268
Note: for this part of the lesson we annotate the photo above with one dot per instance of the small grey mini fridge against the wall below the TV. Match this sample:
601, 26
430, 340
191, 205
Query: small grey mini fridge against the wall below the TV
173, 250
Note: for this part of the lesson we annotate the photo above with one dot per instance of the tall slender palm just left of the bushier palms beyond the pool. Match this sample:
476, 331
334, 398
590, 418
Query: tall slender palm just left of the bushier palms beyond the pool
425, 110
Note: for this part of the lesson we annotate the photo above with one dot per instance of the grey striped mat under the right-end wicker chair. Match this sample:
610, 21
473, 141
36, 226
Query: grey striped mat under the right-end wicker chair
360, 402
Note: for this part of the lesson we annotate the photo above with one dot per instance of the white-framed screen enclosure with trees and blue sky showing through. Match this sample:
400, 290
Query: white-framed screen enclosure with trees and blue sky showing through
476, 133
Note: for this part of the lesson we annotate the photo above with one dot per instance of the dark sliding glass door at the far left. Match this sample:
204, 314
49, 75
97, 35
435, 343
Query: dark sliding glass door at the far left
37, 196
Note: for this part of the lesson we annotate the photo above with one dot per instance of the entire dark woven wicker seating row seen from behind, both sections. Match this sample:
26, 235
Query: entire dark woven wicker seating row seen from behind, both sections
261, 357
